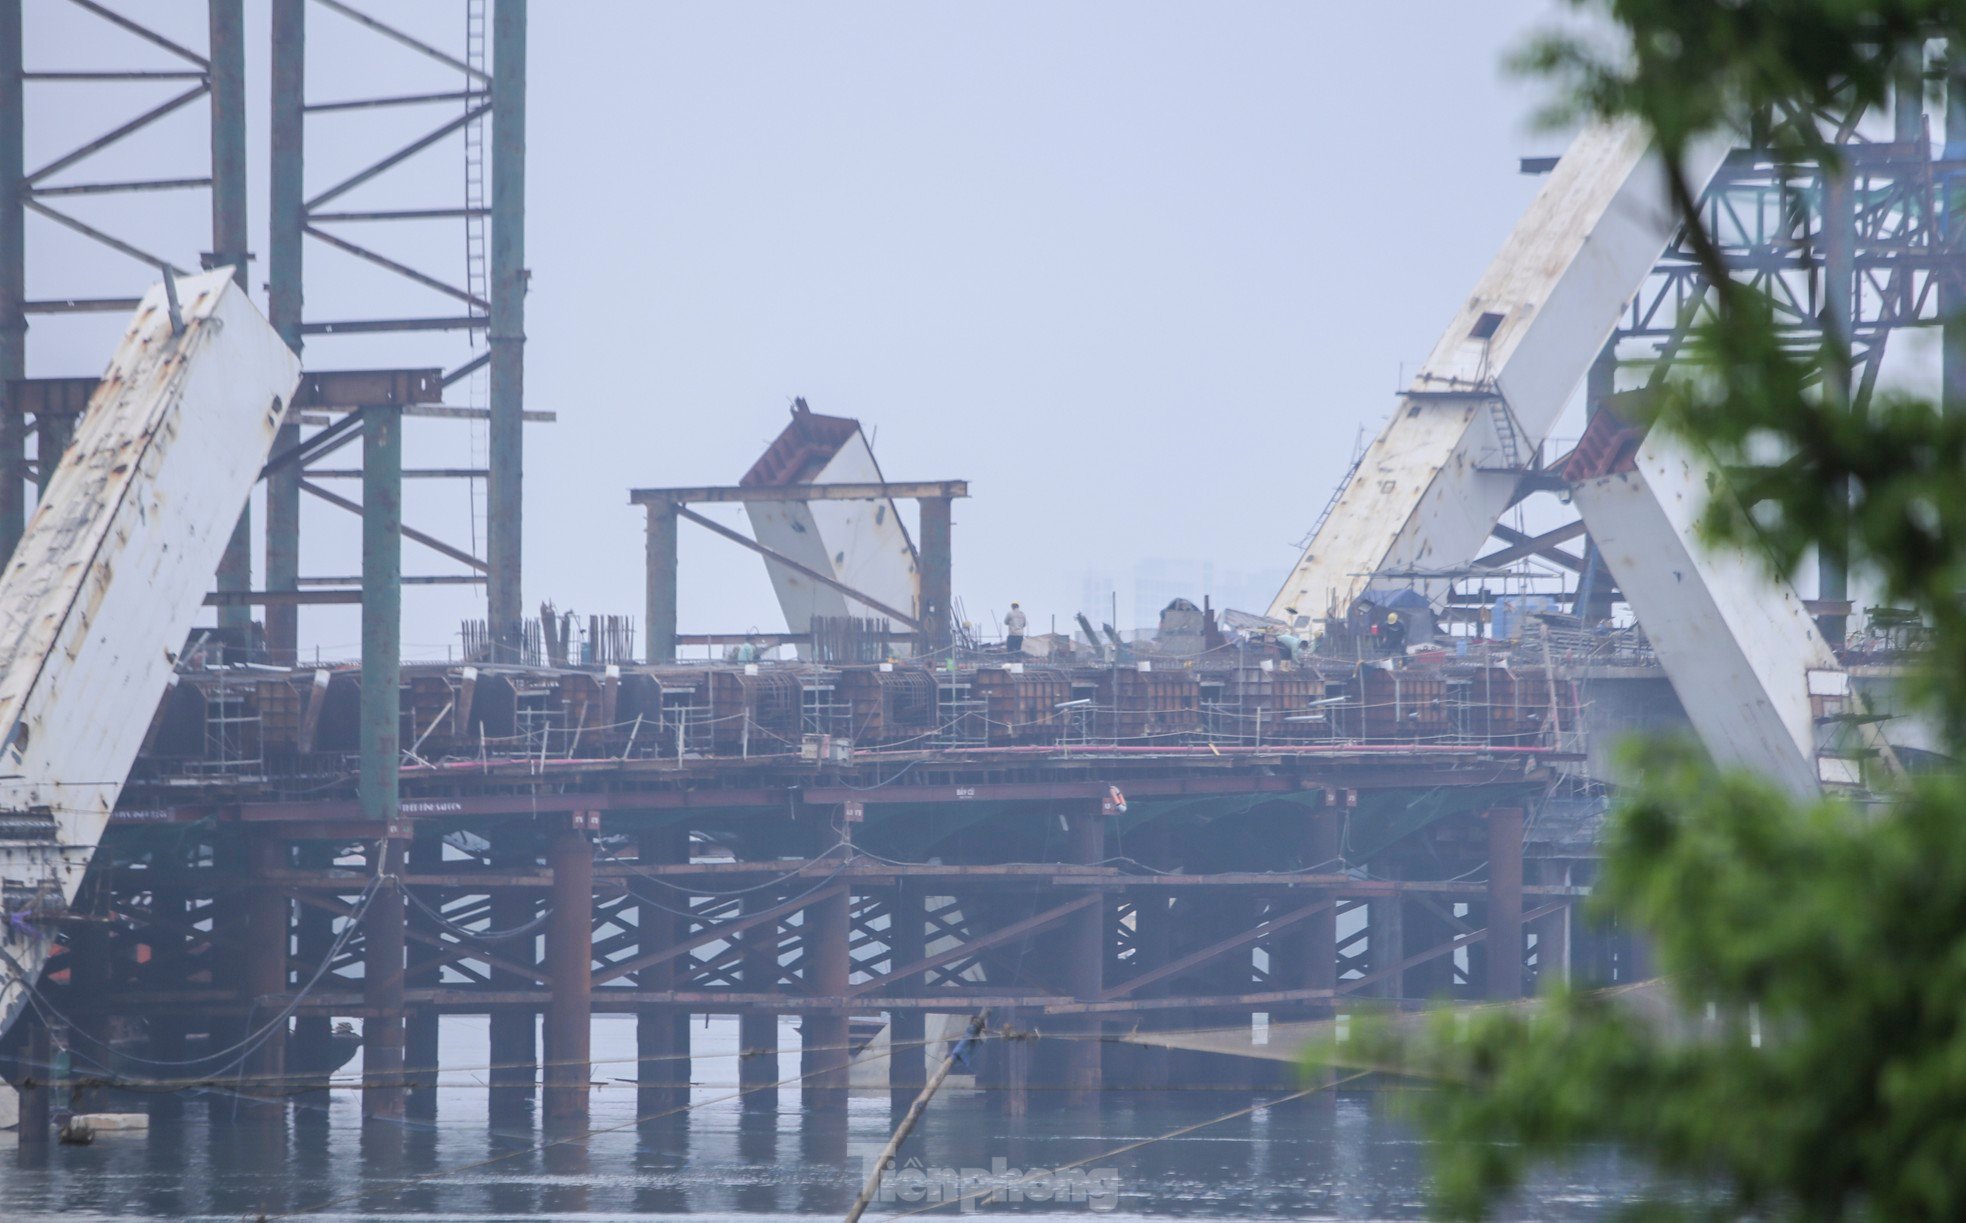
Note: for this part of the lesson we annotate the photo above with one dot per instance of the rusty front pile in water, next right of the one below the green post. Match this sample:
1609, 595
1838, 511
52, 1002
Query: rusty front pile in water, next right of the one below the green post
571, 966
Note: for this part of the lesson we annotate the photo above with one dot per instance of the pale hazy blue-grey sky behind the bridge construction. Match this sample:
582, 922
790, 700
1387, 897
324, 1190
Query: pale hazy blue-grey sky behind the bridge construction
1139, 272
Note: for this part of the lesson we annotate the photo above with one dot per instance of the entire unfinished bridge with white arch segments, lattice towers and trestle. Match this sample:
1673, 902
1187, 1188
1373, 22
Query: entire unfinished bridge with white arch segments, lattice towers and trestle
219, 860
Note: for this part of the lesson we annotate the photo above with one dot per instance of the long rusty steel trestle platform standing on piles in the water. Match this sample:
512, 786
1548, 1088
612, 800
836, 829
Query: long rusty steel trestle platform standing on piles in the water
1192, 846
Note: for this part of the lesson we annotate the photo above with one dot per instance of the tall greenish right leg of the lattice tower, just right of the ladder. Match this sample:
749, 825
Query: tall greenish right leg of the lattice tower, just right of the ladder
504, 491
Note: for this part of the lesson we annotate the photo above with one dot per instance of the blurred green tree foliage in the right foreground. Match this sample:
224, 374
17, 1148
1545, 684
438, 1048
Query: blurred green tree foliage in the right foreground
1818, 953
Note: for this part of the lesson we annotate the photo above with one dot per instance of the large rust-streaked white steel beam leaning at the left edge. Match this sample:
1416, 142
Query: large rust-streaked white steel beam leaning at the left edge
113, 569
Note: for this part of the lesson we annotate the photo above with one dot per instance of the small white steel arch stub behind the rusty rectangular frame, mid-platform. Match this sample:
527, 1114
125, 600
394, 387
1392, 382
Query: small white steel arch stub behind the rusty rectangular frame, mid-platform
860, 544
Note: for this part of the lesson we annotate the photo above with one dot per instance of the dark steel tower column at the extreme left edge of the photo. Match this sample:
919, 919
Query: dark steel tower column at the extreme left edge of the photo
13, 282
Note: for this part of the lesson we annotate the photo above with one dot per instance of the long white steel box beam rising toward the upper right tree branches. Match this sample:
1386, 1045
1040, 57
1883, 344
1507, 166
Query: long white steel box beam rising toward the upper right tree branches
1420, 498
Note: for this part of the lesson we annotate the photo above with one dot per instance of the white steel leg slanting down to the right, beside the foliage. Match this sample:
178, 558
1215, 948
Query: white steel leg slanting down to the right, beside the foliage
1737, 644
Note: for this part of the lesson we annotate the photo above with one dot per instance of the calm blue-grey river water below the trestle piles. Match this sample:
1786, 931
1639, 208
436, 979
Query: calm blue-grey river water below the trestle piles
1348, 1157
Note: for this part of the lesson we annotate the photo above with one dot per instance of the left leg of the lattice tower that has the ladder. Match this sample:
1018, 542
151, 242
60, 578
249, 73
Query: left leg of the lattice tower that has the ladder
284, 300
